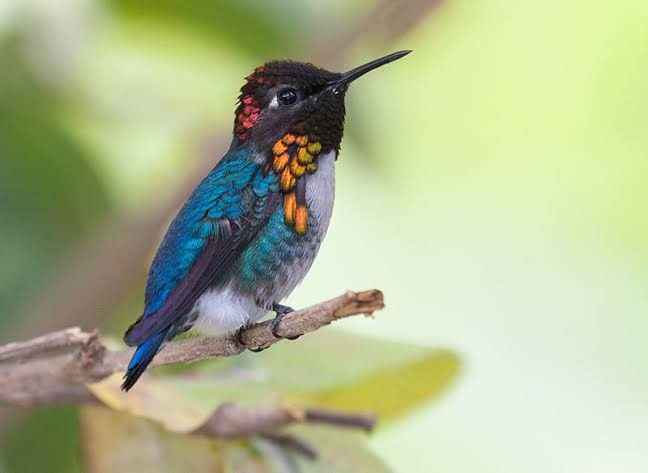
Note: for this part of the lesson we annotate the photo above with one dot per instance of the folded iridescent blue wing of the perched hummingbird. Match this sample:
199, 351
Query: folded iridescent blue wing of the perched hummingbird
222, 216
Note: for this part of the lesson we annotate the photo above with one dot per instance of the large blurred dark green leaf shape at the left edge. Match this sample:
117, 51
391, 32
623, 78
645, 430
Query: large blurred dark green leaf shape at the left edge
50, 197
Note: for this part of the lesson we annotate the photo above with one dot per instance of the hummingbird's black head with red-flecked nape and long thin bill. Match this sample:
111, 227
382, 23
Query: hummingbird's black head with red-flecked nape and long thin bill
296, 101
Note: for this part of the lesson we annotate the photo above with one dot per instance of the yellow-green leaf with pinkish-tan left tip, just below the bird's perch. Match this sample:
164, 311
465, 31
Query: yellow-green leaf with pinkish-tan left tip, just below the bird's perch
328, 369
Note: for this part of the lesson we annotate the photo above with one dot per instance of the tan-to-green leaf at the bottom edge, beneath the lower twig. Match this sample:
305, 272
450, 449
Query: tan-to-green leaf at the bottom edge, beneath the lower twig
118, 442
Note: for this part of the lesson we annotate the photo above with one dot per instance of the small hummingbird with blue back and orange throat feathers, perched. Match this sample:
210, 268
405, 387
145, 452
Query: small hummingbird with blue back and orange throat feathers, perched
250, 231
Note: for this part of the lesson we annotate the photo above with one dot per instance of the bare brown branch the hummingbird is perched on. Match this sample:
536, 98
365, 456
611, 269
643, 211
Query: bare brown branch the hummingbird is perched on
53, 368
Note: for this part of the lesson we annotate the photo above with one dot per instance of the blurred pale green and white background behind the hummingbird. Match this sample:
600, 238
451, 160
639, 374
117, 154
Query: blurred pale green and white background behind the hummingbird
493, 184
